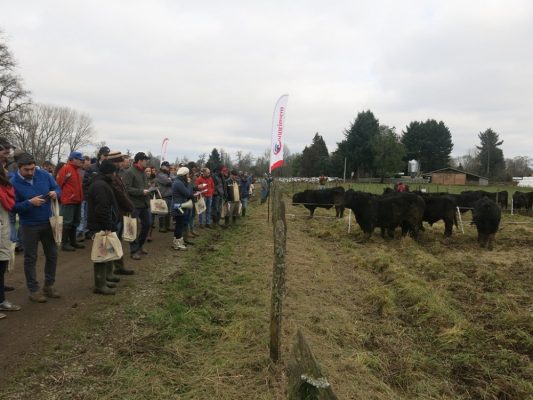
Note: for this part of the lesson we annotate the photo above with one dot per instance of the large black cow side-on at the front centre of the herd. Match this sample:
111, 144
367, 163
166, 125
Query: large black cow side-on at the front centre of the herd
386, 212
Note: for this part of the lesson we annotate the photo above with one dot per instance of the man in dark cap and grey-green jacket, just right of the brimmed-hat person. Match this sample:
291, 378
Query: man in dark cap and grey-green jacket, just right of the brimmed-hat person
136, 183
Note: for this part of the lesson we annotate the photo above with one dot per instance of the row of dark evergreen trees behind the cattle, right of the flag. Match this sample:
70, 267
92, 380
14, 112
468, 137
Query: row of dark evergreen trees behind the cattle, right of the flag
371, 149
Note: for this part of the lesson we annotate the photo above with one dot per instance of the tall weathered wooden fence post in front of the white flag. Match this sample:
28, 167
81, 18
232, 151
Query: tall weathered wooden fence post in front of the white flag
278, 274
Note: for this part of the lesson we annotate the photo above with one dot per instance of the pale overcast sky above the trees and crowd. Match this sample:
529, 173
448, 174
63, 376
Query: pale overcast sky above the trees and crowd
207, 73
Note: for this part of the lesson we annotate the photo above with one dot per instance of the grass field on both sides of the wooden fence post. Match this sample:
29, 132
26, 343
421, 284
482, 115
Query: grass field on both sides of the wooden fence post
389, 319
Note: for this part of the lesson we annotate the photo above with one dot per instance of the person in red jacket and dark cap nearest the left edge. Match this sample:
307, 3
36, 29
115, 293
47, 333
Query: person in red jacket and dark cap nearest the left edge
69, 180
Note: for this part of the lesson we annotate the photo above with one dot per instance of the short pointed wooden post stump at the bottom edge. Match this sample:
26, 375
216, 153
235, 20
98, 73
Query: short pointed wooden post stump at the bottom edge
306, 380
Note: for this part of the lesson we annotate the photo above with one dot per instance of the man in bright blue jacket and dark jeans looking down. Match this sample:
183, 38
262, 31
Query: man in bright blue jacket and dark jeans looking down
33, 190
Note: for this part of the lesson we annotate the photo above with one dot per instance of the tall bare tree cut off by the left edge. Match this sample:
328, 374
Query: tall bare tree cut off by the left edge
13, 97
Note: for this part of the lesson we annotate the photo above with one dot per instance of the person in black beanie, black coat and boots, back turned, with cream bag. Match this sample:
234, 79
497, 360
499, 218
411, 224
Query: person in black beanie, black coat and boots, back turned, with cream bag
102, 215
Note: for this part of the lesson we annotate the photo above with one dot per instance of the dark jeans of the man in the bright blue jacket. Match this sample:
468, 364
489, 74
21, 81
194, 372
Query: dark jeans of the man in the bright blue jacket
33, 234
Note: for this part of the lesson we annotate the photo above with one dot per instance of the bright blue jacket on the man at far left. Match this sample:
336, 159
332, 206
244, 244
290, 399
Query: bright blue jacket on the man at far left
43, 183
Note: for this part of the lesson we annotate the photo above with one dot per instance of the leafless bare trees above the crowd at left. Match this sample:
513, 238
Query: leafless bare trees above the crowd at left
49, 132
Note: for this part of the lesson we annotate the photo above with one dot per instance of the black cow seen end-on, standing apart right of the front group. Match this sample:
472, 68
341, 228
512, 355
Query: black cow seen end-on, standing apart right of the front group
486, 217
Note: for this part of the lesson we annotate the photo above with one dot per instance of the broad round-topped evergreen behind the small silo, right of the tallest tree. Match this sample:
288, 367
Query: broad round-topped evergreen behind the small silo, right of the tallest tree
430, 143
